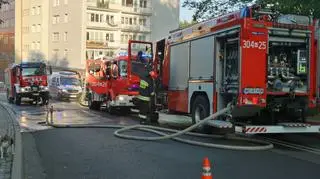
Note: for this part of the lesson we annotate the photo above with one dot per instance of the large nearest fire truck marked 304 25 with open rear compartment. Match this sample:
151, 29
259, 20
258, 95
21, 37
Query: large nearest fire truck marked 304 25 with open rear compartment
263, 62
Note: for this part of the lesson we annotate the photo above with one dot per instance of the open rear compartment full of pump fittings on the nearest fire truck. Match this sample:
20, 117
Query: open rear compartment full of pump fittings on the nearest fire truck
288, 66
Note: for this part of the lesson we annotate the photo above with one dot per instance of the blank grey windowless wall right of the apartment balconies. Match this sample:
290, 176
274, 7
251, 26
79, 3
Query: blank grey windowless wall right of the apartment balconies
165, 18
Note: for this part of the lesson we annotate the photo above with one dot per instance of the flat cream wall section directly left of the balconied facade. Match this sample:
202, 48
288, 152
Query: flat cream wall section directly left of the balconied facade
66, 33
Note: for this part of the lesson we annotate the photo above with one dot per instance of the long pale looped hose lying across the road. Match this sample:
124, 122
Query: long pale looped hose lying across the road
156, 130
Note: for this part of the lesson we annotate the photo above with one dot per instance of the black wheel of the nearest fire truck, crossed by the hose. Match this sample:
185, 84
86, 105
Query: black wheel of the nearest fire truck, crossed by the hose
200, 110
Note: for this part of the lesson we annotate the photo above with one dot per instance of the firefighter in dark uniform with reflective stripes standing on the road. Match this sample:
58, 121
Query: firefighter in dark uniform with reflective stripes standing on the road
146, 97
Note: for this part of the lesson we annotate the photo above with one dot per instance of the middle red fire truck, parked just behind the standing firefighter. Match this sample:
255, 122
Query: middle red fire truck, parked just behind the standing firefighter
115, 82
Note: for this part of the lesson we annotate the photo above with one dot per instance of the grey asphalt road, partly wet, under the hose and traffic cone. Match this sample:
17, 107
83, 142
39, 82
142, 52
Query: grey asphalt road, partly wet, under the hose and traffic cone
96, 153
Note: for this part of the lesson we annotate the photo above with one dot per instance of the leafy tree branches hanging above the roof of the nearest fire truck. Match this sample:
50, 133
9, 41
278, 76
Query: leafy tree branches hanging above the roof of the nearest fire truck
205, 9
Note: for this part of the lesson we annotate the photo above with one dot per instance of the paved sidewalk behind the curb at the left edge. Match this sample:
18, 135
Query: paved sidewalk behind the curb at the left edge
5, 128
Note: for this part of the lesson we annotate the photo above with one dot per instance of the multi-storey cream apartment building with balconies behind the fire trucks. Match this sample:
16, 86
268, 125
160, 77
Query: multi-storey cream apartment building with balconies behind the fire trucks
67, 32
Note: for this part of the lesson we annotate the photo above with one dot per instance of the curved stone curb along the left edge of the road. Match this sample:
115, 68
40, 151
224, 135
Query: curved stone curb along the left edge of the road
17, 170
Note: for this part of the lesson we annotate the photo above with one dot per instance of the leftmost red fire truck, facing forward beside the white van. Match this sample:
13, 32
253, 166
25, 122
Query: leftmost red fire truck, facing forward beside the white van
27, 80
